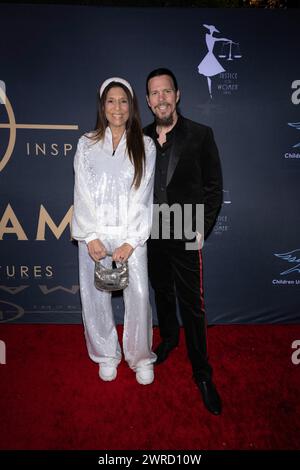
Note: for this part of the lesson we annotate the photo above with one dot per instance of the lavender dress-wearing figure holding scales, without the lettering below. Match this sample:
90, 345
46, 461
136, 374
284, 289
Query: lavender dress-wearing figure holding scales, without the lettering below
210, 66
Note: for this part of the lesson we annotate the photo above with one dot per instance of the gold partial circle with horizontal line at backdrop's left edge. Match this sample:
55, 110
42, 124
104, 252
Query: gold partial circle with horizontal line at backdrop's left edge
13, 126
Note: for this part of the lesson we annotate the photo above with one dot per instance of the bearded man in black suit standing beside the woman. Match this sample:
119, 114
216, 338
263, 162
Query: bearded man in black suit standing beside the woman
188, 171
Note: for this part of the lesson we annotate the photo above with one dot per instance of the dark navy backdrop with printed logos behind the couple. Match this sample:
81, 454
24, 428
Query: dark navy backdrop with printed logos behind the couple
238, 71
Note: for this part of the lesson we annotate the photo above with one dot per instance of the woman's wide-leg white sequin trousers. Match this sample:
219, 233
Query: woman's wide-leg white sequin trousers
99, 324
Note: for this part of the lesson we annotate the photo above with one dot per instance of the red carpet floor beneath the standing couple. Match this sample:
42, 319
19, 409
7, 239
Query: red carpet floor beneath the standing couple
51, 396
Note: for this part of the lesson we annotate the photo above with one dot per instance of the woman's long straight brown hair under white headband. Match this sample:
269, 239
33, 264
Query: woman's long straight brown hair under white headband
134, 133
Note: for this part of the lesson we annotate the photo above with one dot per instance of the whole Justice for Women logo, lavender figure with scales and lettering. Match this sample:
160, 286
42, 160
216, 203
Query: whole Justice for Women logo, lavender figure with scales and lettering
217, 63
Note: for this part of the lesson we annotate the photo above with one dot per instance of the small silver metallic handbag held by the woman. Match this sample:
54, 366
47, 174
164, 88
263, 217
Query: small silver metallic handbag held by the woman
113, 278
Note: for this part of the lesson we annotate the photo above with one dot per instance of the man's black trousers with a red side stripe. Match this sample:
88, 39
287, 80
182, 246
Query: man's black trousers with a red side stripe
176, 273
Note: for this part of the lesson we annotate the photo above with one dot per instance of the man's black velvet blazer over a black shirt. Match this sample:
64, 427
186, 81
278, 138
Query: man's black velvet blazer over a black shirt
194, 173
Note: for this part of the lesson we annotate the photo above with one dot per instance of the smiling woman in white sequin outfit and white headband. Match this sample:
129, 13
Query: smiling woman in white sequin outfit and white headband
114, 176
